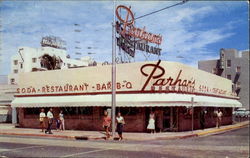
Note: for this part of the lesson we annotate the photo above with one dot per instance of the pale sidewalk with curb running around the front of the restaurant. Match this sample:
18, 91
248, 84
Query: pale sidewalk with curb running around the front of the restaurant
9, 129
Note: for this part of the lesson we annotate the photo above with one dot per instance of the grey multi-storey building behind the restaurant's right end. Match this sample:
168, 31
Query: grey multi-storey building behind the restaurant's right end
233, 65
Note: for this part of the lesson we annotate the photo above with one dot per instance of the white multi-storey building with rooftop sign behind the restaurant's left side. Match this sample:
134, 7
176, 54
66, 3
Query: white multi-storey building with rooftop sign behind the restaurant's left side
52, 55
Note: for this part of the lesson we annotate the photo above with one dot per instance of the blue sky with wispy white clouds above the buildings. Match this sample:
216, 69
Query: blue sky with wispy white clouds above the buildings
193, 31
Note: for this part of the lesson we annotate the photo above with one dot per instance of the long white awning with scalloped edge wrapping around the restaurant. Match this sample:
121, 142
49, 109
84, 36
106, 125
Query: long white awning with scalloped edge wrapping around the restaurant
124, 100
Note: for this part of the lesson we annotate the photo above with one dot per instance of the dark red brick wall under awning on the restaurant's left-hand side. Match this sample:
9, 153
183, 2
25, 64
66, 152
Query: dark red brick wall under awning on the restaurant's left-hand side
134, 123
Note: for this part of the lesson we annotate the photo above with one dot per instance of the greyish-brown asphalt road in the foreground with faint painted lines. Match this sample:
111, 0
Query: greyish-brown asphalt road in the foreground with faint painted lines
227, 145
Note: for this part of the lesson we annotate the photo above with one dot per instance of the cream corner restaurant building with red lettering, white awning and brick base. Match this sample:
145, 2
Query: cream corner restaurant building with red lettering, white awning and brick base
177, 94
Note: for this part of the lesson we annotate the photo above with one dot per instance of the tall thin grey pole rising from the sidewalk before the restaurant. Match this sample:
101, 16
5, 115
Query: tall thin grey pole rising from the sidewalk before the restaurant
113, 72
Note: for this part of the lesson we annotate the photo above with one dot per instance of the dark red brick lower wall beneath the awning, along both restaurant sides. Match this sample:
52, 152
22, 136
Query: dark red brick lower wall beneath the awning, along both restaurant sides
134, 123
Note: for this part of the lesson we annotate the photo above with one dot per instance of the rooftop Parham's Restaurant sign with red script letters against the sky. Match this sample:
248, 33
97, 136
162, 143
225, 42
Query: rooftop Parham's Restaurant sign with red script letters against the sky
132, 38
